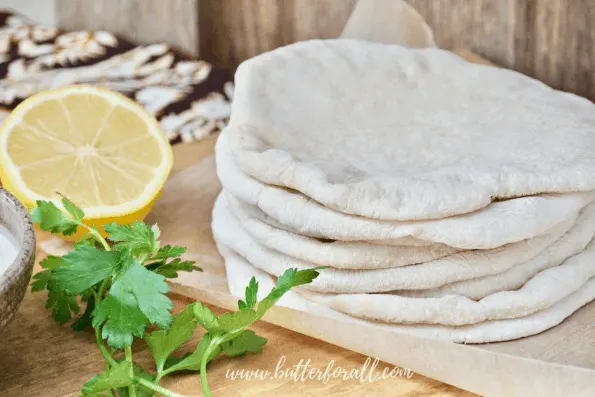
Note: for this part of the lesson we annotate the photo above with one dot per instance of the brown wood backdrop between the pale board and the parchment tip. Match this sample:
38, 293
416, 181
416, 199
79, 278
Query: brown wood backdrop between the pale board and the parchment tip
232, 31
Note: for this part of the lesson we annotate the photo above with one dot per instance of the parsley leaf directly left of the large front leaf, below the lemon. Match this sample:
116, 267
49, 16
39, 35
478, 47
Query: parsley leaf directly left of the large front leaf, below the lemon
85, 267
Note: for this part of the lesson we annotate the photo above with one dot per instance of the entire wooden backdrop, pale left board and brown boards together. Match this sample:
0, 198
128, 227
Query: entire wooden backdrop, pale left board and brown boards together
552, 40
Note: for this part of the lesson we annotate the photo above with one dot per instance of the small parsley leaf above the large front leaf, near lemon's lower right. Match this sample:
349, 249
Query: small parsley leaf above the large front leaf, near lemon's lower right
138, 237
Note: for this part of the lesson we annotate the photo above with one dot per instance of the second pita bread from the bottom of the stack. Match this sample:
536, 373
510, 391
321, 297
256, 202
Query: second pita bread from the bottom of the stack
542, 291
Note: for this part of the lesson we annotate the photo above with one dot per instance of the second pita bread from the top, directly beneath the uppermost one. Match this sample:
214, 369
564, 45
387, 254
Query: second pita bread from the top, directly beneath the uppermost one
495, 225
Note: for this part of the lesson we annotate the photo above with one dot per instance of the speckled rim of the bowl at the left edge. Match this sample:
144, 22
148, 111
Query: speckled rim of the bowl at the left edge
23, 261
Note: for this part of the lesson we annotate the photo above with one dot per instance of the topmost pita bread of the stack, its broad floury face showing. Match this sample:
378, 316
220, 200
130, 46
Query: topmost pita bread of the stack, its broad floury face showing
388, 132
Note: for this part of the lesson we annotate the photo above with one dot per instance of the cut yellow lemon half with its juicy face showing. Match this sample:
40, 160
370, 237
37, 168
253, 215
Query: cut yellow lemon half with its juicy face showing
97, 147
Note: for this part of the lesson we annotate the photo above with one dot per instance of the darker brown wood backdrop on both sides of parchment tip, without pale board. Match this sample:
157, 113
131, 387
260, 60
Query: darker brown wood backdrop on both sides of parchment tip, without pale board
551, 40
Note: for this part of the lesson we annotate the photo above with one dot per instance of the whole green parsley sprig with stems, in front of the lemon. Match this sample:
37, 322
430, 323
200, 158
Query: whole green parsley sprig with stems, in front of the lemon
121, 281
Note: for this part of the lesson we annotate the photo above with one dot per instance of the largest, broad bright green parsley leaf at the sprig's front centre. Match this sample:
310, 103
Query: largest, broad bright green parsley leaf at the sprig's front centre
136, 298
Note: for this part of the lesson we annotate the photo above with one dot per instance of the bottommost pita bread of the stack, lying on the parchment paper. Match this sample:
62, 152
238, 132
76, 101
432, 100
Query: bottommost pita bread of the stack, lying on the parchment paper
239, 273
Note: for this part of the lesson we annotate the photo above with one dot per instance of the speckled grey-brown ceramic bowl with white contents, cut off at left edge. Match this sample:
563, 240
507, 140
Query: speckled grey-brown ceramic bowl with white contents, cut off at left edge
15, 279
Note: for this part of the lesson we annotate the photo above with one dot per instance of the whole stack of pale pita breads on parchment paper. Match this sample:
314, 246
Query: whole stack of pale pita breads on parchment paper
445, 198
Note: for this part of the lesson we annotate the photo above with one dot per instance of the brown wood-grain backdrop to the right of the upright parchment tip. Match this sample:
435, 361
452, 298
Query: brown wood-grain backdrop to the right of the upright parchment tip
551, 40
